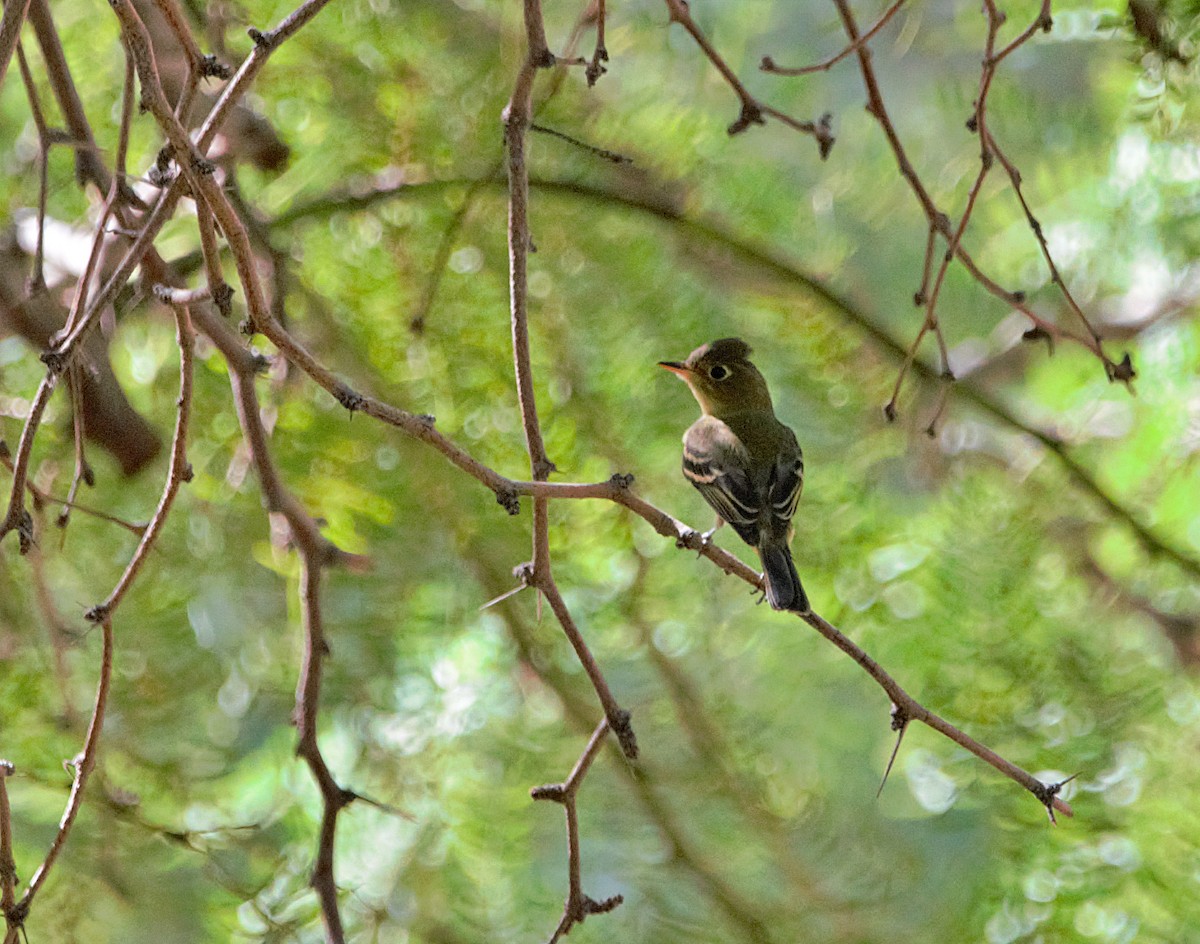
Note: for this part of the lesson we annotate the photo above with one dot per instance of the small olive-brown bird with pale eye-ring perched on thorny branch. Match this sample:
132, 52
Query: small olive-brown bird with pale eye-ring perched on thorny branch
745, 462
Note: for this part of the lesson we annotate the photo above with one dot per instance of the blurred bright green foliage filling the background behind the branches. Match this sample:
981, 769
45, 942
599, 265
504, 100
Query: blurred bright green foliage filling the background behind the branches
971, 564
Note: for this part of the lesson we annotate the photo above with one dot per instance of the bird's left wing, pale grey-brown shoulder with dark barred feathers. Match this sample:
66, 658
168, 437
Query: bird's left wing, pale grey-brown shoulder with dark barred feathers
716, 462
